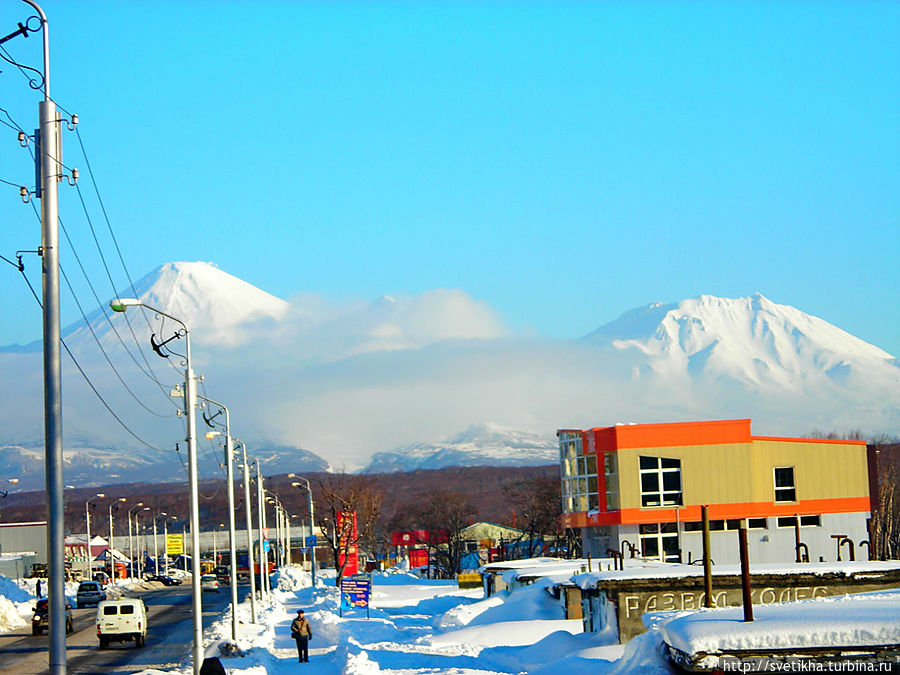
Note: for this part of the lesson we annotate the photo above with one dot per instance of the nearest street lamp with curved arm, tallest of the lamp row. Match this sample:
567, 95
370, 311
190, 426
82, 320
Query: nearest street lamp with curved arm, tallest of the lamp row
190, 402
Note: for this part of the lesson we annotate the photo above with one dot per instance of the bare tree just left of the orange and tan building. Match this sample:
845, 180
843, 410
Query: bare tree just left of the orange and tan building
537, 508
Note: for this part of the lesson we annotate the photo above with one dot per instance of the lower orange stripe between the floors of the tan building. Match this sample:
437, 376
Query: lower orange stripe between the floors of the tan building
808, 507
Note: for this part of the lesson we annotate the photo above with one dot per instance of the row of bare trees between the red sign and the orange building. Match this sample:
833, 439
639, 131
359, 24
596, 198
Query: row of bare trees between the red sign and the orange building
534, 507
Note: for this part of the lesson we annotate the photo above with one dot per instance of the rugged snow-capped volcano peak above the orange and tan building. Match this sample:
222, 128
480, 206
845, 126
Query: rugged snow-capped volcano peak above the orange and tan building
752, 341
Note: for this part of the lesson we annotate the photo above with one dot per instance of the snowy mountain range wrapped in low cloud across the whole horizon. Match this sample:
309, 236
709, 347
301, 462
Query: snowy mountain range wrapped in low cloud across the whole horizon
395, 375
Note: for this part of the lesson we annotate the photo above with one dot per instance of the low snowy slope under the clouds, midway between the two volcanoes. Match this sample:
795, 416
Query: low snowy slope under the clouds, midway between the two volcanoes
479, 445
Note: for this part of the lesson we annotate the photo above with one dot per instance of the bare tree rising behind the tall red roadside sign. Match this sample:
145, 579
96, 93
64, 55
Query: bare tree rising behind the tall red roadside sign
342, 495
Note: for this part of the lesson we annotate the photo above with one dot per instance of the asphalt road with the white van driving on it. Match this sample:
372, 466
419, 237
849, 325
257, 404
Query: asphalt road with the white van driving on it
168, 638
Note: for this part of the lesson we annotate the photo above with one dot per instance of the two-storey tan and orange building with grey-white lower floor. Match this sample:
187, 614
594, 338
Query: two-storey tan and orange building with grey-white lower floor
639, 489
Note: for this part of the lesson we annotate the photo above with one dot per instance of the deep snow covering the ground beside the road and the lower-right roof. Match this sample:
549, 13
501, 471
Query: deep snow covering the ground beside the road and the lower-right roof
418, 627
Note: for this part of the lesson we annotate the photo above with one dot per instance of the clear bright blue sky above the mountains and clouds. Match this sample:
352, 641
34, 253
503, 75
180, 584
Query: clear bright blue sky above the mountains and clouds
563, 162
